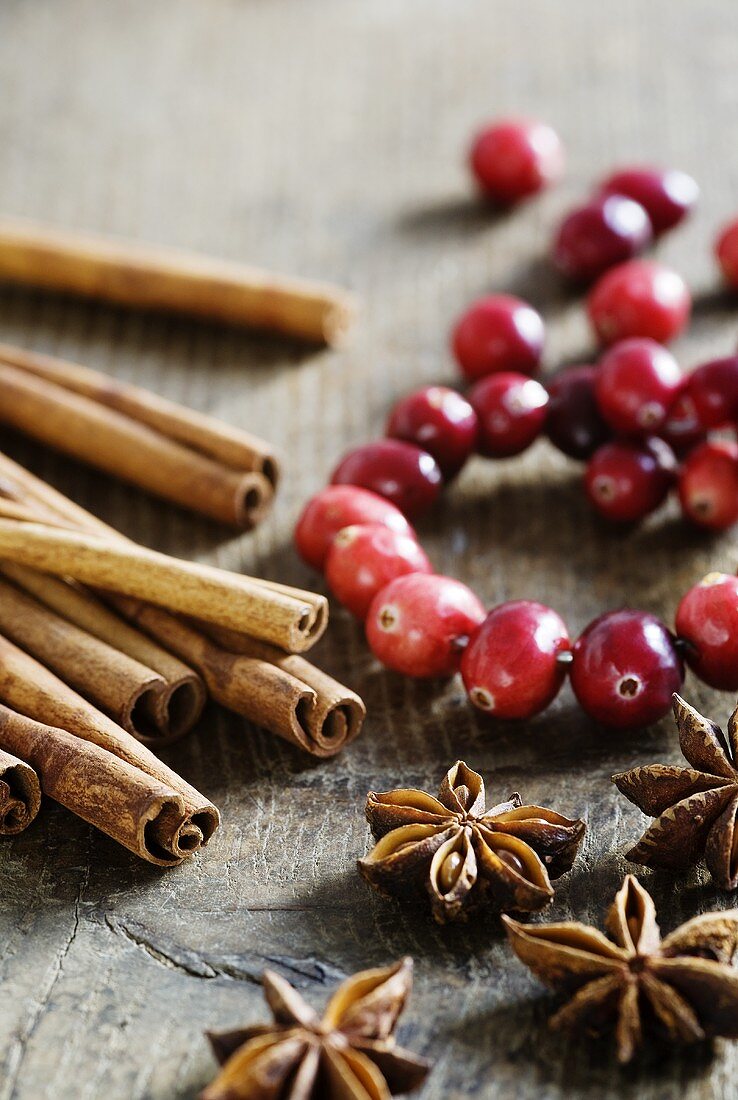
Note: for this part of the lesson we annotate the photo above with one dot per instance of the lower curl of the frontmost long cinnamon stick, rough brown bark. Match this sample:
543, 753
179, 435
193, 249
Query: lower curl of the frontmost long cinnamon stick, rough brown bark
140, 812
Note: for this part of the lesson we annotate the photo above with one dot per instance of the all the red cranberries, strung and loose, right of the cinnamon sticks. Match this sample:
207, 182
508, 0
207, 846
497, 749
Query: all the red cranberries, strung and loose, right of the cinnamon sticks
642, 427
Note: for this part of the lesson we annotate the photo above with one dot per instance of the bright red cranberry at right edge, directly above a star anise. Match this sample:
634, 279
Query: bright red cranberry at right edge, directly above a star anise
708, 620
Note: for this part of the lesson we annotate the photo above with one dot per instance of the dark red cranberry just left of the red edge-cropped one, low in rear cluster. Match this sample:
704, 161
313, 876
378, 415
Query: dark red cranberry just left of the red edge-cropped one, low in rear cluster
626, 481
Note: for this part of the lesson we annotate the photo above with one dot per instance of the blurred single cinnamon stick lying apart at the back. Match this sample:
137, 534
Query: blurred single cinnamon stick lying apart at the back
153, 278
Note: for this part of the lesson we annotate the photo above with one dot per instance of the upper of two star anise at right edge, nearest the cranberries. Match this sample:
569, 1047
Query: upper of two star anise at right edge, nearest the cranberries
696, 808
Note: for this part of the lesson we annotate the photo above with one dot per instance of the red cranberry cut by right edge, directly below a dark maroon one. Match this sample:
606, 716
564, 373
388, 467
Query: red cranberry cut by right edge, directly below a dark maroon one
709, 486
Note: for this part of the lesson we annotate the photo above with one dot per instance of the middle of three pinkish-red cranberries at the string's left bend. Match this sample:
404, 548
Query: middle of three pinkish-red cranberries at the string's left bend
366, 558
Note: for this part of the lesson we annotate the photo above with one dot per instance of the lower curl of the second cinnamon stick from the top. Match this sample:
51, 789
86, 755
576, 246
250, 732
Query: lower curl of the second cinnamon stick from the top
128, 448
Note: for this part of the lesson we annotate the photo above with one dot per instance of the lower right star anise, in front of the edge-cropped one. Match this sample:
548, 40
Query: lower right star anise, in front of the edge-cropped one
681, 989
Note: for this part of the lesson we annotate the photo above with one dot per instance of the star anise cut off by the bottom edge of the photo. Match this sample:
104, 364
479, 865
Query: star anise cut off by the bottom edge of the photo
348, 1054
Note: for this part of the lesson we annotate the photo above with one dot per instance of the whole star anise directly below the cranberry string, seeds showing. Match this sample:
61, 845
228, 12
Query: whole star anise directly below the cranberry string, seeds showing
464, 855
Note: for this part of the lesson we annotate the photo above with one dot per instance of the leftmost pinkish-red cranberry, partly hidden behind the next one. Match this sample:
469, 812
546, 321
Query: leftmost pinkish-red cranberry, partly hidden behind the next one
335, 508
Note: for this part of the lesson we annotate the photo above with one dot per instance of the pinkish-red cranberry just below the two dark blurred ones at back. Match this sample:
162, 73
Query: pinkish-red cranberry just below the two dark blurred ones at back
640, 299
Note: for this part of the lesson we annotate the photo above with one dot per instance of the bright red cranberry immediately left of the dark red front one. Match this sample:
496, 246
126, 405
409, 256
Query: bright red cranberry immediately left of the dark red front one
511, 667
